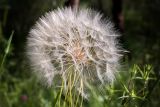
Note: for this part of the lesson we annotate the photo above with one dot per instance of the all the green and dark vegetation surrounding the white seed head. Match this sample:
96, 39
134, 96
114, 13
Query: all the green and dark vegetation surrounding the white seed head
136, 86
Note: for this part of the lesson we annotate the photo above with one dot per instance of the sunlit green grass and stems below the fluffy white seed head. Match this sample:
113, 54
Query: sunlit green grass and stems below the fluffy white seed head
131, 89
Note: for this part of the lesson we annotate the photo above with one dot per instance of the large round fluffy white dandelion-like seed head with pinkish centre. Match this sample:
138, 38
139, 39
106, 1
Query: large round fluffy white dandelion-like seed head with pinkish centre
72, 43
